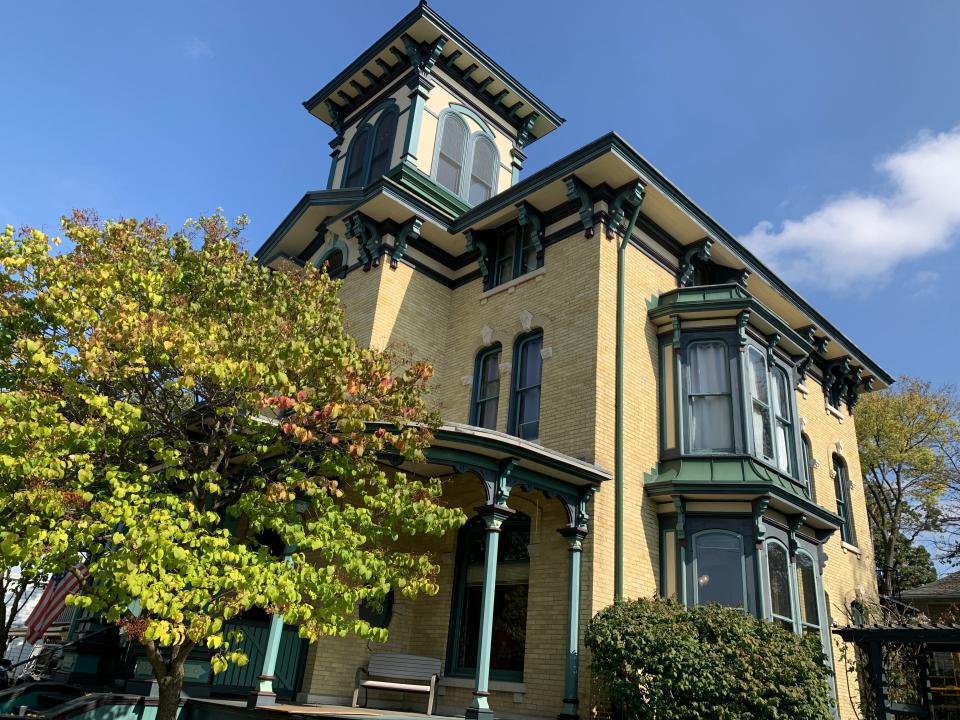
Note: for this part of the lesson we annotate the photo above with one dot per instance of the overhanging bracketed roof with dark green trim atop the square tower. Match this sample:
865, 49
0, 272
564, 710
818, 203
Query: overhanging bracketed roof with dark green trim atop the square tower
420, 34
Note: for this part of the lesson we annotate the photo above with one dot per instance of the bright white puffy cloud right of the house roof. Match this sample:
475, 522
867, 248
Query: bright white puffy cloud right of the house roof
863, 236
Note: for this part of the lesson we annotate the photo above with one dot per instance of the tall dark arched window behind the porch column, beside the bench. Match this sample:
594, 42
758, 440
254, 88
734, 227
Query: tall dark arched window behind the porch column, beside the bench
510, 599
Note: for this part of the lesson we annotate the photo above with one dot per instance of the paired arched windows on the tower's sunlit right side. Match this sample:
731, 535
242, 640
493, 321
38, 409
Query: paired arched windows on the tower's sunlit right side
464, 163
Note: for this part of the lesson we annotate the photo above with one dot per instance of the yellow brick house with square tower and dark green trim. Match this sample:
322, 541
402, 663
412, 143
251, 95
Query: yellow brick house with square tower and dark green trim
633, 403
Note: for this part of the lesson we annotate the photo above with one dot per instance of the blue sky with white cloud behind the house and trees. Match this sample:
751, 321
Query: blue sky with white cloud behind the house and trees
841, 120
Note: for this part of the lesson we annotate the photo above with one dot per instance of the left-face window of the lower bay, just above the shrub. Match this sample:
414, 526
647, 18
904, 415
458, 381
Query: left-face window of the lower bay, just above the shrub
719, 569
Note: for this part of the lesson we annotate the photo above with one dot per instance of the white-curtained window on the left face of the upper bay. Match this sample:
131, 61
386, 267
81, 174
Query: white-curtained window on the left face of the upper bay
708, 396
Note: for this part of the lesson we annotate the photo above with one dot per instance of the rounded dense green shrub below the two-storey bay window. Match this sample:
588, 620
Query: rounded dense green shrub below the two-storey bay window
660, 661
